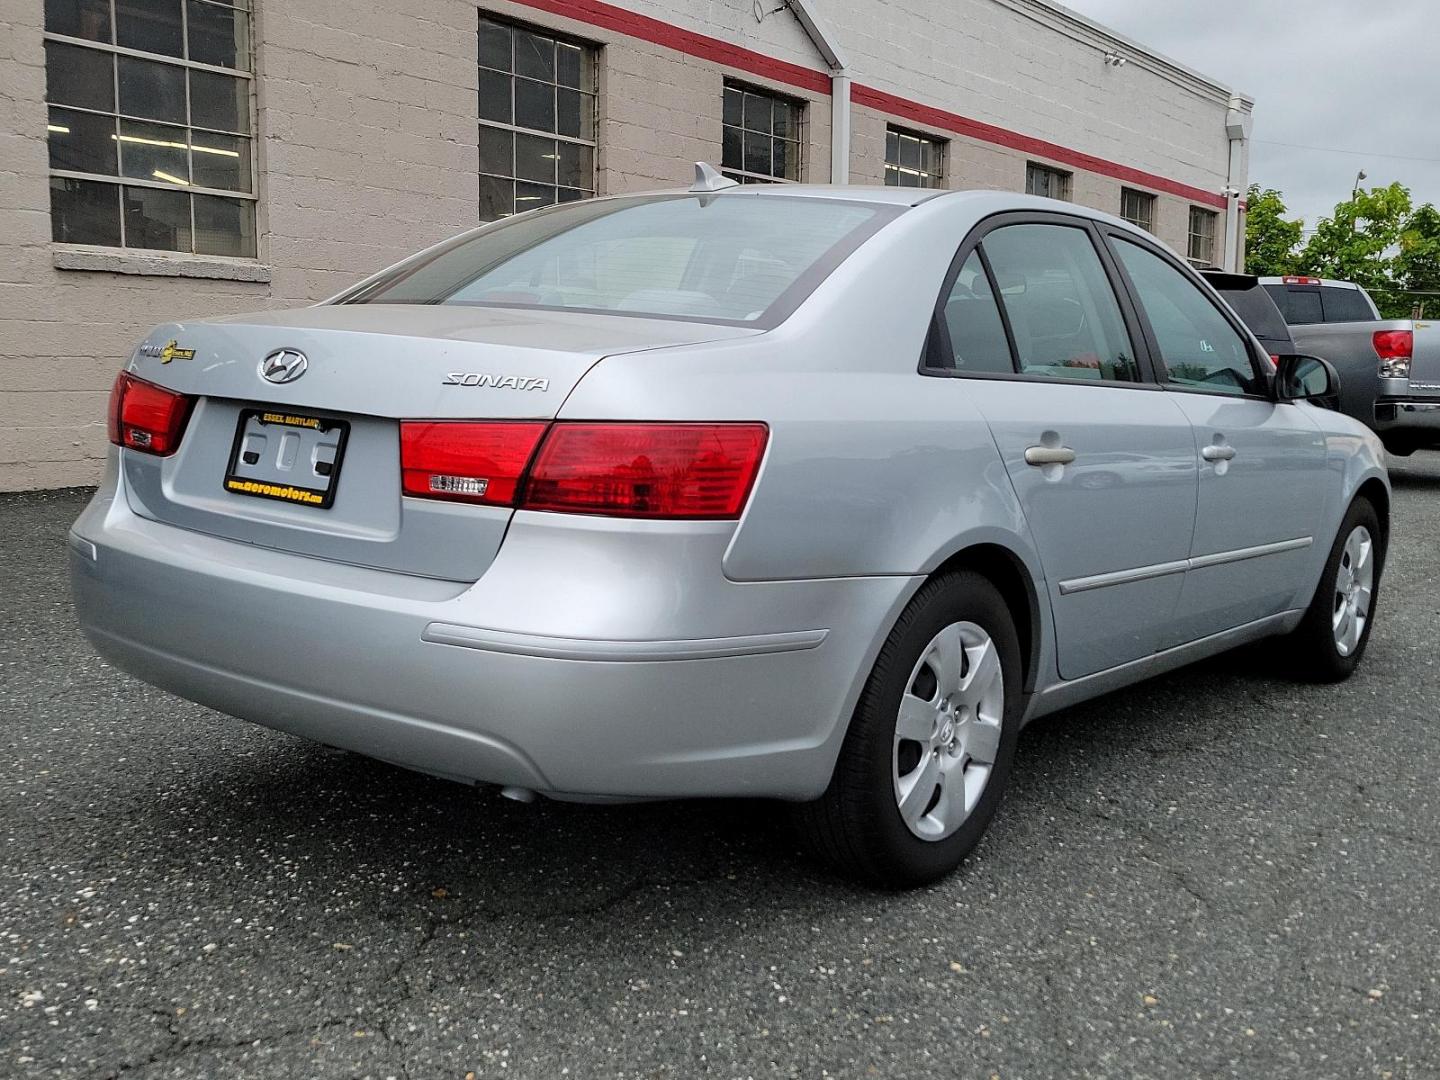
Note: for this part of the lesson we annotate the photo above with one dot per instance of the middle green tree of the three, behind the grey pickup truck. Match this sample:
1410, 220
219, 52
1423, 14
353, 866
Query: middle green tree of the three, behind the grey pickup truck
1360, 243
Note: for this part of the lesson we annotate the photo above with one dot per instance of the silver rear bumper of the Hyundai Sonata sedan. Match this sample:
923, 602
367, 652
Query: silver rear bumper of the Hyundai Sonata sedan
590, 662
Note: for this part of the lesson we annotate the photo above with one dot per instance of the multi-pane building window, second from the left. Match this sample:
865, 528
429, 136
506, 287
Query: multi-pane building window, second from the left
536, 120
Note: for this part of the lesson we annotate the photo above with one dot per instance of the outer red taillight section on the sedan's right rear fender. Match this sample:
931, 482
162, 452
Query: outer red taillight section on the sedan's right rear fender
647, 470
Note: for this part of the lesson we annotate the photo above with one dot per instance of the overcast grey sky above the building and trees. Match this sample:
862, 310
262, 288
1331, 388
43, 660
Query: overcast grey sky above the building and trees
1336, 76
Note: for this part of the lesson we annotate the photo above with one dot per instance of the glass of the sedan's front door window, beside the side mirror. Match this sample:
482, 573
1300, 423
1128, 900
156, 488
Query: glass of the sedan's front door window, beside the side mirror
1200, 349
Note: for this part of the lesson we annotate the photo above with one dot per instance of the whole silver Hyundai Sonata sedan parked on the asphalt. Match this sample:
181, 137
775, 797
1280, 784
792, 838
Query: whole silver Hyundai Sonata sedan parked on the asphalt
803, 493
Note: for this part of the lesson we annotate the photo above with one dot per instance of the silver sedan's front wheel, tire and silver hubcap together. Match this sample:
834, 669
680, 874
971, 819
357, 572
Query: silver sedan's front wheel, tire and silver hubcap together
1331, 640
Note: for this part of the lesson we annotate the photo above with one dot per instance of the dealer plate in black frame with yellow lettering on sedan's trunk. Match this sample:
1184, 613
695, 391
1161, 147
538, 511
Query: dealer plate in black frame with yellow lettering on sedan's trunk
287, 457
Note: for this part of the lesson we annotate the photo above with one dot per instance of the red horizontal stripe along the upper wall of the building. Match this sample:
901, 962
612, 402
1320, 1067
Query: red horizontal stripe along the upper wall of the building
706, 48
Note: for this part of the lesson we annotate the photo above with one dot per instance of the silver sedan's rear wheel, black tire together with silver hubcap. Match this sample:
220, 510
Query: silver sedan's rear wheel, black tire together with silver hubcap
930, 750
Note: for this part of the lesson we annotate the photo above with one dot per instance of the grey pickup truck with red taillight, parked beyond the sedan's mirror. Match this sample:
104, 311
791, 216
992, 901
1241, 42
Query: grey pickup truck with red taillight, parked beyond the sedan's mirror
1390, 369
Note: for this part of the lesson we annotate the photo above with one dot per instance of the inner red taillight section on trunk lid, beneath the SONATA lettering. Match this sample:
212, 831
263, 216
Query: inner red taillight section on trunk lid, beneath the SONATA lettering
469, 463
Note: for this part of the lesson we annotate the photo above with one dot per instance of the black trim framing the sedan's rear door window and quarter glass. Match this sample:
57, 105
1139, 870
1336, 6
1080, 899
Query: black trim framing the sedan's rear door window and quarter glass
938, 336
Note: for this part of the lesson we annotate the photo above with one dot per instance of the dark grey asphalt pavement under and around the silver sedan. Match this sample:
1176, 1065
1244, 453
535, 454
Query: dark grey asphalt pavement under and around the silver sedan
1213, 875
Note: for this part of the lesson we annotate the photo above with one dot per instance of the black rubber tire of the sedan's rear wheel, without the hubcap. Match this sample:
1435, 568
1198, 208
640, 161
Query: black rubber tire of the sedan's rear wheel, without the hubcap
856, 826
